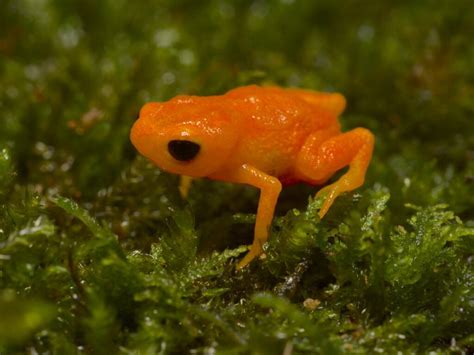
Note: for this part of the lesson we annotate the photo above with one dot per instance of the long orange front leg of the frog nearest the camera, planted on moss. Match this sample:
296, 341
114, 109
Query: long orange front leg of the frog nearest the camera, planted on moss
270, 188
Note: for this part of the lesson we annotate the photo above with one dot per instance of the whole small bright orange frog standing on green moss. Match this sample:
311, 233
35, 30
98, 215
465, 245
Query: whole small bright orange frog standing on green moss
260, 136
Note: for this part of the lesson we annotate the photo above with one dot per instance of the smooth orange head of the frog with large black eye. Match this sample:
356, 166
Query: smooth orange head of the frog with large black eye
186, 135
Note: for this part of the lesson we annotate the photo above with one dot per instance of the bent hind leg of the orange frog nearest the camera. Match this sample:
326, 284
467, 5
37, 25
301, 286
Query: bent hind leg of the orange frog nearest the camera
317, 161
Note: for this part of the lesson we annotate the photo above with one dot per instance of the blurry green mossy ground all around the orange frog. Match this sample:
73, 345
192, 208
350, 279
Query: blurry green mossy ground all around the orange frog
98, 252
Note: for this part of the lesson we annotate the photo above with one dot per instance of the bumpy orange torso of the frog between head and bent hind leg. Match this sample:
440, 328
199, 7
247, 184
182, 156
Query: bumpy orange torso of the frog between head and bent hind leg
275, 123
